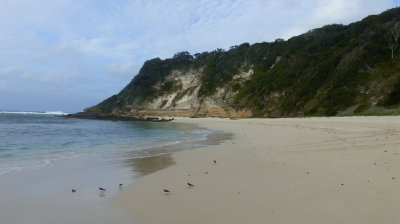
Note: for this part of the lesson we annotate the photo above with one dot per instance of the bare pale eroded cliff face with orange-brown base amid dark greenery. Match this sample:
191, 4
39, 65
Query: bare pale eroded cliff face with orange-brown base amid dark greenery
183, 100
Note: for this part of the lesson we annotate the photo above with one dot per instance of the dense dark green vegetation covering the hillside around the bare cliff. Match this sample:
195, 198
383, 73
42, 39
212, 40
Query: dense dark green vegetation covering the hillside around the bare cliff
323, 72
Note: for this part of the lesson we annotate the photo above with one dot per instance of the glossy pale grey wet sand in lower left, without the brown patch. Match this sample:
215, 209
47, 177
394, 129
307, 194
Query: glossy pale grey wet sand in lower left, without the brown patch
44, 196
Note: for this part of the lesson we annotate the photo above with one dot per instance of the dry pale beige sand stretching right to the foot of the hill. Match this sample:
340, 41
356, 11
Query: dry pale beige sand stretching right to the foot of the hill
310, 170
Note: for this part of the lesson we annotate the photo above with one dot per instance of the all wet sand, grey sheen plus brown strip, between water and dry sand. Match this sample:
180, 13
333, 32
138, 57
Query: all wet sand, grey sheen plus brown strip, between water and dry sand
45, 195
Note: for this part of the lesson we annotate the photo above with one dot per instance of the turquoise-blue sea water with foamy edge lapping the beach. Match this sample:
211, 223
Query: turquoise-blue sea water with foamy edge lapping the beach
35, 140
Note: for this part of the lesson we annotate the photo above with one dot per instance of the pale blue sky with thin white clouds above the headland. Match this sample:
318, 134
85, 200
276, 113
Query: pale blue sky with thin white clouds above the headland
66, 55
